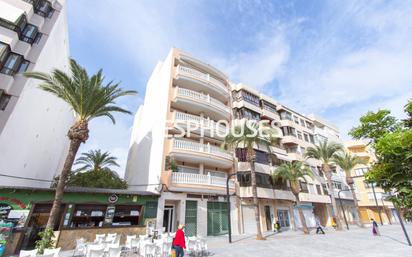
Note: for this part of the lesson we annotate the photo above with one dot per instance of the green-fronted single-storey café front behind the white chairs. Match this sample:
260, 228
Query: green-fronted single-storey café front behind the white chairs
85, 212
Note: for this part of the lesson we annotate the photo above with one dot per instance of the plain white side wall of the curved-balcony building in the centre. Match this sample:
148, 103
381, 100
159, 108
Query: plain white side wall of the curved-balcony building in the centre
145, 158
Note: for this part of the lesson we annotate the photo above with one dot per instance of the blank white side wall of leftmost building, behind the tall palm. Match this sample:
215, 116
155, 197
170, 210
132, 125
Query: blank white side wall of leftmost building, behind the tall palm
33, 142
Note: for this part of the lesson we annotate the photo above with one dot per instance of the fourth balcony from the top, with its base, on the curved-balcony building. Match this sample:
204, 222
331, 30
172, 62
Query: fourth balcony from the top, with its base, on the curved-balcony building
191, 151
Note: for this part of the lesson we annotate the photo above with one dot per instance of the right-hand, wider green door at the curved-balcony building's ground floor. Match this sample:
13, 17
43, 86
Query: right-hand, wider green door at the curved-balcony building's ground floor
217, 222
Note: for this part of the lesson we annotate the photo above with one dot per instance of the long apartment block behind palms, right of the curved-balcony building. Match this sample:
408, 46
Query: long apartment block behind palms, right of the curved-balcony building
296, 132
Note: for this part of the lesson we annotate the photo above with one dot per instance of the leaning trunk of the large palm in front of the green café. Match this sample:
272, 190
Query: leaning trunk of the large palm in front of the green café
77, 134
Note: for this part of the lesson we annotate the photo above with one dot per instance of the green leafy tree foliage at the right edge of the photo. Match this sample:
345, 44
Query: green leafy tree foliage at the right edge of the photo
393, 149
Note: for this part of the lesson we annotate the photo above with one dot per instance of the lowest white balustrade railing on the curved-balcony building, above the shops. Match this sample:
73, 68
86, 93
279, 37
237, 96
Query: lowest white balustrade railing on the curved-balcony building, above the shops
199, 179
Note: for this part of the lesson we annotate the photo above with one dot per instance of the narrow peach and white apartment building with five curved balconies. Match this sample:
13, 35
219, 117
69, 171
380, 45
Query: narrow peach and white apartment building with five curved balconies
170, 152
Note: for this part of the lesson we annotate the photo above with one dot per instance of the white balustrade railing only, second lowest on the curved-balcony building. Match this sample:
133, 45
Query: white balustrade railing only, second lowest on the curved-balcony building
201, 148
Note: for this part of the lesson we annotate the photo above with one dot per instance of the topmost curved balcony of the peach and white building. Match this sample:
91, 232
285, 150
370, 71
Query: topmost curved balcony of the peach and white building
198, 80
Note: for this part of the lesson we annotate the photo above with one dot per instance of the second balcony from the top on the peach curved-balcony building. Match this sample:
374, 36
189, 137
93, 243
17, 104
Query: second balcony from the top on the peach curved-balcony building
199, 102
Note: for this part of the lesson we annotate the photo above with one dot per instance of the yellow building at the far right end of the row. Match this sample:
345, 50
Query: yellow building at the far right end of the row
371, 199
